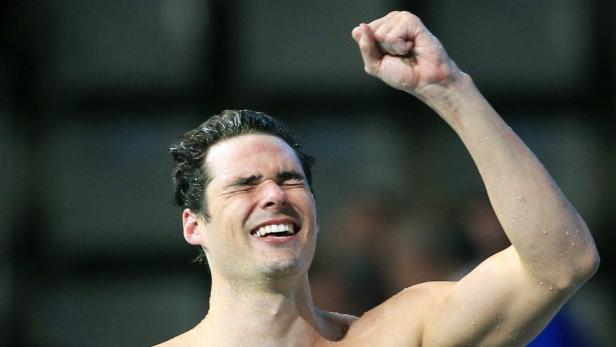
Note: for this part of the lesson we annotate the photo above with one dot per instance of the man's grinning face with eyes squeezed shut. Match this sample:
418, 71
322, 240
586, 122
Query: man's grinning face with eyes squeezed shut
263, 218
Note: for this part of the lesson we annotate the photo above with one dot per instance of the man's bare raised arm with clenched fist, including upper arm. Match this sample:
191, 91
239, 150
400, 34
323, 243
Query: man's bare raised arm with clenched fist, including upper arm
512, 295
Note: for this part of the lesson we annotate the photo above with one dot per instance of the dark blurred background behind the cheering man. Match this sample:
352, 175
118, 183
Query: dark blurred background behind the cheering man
93, 92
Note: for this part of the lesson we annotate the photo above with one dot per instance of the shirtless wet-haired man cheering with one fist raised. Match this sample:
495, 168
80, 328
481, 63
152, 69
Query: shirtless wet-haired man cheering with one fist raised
256, 222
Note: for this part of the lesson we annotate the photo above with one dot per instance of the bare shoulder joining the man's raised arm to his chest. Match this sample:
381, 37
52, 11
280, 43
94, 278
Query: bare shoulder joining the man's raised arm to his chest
400, 319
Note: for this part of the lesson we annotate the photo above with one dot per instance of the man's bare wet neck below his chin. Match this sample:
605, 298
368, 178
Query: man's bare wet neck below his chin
262, 313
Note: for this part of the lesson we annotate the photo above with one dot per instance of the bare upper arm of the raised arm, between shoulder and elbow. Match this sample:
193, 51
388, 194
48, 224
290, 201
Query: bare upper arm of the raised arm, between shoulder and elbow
498, 303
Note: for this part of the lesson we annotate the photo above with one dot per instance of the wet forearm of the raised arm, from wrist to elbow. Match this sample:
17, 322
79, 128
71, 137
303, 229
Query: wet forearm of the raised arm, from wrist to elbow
550, 238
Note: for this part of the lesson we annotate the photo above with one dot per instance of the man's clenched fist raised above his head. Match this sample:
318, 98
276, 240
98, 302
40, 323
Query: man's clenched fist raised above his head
400, 51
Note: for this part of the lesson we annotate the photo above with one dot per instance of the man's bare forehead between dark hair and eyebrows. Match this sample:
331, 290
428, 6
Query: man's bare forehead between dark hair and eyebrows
250, 154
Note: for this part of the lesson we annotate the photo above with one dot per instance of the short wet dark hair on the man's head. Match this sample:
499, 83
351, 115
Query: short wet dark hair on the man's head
189, 152
